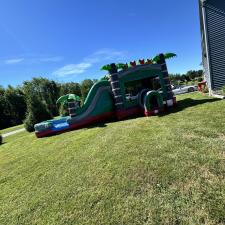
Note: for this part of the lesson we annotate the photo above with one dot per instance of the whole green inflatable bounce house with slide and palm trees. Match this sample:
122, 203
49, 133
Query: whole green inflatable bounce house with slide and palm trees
128, 90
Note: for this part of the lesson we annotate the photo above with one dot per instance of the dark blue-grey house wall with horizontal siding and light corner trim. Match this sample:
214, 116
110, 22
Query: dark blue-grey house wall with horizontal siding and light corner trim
212, 19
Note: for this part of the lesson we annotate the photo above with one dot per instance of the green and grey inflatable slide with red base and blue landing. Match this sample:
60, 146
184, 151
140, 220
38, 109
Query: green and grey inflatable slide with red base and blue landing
98, 106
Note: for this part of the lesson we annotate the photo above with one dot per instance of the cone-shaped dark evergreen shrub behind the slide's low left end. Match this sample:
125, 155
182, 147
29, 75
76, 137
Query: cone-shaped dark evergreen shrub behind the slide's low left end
36, 113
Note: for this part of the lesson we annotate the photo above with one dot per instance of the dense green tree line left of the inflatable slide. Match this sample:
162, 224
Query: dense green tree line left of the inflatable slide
35, 100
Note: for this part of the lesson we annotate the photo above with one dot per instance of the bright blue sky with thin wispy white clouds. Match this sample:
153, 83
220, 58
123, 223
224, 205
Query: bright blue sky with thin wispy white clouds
69, 40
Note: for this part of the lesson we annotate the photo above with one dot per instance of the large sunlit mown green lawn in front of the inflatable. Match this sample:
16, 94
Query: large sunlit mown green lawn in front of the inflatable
158, 170
